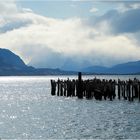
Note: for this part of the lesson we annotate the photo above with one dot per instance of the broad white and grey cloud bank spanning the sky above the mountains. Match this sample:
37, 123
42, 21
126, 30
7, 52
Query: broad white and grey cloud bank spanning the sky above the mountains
71, 43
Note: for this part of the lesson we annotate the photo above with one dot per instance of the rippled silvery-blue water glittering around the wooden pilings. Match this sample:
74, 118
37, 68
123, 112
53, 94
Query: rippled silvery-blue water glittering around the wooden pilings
28, 111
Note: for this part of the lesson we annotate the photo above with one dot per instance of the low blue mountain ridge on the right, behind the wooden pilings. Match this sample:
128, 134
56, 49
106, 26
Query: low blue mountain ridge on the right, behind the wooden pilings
124, 68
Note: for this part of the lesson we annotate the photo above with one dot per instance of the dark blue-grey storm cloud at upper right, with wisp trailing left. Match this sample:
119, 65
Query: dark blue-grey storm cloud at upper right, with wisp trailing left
120, 22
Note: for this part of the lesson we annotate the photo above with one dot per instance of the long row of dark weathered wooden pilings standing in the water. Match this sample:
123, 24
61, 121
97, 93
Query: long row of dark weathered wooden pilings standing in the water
97, 88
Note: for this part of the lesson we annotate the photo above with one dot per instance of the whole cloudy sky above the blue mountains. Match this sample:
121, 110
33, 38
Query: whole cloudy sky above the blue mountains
71, 34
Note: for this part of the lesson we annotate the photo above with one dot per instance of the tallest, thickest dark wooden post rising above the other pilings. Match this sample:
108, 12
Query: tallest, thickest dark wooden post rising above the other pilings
79, 86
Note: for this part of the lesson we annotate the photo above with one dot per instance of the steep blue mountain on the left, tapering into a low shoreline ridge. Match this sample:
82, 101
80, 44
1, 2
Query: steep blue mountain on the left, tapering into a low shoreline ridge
12, 64
